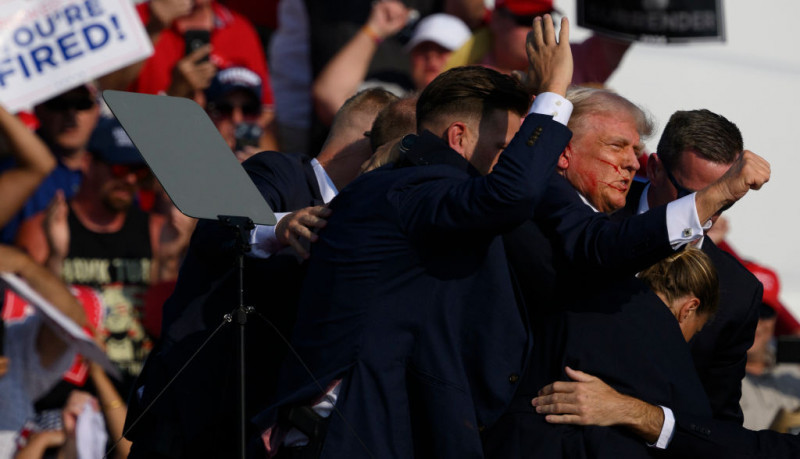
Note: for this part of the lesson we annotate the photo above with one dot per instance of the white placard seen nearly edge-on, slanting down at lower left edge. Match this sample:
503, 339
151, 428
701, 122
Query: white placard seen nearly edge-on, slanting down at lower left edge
62, 325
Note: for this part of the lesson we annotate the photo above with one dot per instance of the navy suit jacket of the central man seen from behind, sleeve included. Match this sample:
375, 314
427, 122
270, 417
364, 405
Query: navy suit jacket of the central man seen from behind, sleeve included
409, 300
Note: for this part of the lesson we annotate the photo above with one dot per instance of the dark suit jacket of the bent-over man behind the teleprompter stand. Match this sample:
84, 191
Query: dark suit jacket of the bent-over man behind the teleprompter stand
196, 417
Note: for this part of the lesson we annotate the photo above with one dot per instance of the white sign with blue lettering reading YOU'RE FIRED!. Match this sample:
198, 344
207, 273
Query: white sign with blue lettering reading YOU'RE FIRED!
49, 46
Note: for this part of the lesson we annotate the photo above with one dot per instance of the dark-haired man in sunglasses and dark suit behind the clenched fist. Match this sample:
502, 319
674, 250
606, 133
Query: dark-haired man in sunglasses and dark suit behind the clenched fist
696, 148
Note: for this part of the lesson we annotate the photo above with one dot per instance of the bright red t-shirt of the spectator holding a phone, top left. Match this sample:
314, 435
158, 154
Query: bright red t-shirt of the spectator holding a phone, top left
235, 44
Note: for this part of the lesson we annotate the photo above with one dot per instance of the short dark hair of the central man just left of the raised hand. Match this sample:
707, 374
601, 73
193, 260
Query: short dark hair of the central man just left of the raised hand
471, 91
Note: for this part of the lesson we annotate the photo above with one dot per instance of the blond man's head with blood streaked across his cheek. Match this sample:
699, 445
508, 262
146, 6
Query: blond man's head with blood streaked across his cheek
601, 160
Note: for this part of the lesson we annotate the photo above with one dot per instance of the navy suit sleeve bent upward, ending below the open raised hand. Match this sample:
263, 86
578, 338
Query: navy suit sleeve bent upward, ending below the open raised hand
500, 200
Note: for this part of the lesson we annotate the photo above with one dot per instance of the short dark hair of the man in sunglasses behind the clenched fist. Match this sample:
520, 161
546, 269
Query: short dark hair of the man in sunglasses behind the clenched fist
711, 136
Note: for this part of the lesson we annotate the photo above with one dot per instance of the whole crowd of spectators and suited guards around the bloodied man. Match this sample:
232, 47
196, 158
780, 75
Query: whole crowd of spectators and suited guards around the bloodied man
475, 255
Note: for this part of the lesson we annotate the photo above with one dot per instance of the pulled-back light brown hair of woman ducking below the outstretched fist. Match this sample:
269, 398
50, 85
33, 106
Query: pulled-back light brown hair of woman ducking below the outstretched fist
688, 272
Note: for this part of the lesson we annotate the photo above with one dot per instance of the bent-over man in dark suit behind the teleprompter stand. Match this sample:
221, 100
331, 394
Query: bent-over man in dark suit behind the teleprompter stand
196, 417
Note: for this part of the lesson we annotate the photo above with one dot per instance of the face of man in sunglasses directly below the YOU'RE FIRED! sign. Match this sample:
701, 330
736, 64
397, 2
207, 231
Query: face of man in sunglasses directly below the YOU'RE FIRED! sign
67, 122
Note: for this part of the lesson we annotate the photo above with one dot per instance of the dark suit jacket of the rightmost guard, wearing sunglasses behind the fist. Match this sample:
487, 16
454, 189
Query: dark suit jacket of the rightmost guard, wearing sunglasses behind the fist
720, 349
